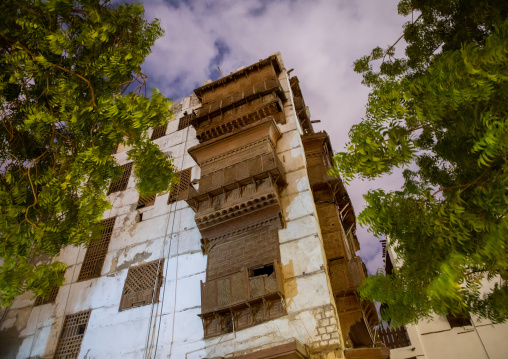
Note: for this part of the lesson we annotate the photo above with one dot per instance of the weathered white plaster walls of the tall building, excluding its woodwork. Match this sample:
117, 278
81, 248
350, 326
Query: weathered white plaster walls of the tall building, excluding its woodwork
171, 328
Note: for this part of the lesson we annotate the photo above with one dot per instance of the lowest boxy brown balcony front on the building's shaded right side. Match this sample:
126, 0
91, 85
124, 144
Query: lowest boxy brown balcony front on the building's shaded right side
346, 275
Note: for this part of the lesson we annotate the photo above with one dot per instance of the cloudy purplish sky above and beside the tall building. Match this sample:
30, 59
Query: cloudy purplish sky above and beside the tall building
320, 39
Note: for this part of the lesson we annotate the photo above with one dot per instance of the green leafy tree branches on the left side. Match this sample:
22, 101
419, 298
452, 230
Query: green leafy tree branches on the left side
65, 68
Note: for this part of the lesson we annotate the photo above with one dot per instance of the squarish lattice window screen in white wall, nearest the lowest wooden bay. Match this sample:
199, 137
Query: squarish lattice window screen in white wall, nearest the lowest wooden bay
142, 284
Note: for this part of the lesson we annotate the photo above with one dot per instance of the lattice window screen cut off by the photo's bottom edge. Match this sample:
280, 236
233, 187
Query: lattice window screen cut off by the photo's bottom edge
73, 331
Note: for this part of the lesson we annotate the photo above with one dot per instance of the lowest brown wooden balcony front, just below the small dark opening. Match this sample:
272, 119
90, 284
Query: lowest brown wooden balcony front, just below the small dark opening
239, 289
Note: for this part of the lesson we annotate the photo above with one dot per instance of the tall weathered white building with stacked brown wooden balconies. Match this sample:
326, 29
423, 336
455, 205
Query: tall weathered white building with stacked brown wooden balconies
251, 255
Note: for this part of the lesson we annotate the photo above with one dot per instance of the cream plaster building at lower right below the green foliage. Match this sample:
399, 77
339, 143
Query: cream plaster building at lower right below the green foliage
436, 339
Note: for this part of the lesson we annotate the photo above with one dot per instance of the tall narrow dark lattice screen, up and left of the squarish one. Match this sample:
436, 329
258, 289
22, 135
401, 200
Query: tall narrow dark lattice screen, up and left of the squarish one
96, 252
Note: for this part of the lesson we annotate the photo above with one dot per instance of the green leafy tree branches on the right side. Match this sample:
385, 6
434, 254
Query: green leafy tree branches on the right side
440, 112
